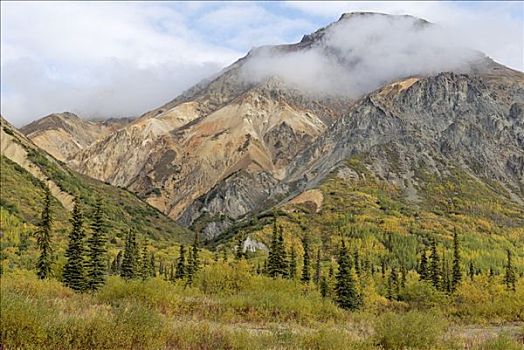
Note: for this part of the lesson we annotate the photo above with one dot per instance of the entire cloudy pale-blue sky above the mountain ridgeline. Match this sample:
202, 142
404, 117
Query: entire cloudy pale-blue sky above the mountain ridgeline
119, 59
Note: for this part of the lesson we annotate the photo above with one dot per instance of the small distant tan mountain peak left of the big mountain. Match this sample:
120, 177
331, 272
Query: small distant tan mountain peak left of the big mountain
65, 134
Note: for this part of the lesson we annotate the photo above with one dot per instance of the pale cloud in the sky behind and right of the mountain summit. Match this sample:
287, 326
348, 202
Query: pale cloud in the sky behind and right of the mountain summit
494, 28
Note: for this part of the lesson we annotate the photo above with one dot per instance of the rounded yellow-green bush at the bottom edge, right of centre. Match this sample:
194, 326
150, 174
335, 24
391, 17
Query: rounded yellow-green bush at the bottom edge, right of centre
413, 329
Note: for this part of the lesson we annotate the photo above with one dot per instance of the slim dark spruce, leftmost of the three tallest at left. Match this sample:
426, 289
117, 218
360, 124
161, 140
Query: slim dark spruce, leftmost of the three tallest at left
43, 238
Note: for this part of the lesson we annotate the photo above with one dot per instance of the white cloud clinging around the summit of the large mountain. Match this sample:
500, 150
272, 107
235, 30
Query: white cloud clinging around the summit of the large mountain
361, 53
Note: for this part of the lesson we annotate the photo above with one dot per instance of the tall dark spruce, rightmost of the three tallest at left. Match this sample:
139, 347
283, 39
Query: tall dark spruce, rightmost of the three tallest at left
96, 269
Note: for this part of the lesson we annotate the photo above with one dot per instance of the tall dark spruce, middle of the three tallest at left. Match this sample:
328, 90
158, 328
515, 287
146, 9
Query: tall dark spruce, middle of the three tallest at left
73, 275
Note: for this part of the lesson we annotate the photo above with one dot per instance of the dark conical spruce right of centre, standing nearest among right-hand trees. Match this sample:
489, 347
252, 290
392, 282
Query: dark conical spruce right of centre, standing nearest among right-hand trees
347, 297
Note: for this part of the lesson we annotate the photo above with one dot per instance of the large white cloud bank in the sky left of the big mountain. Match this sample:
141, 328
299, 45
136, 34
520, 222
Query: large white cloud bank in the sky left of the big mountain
103, 60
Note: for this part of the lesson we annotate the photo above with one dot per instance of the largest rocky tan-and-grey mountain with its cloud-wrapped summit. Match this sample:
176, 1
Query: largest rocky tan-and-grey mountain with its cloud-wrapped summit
391, 89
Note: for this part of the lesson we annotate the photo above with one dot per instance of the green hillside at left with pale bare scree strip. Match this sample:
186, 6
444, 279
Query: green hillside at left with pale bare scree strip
26, 169
